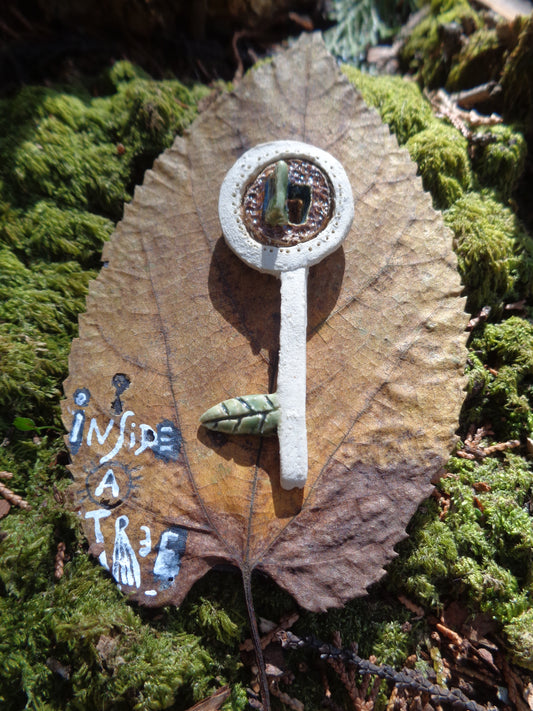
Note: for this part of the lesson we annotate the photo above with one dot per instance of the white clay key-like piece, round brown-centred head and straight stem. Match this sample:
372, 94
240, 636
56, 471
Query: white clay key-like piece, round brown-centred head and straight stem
283, 207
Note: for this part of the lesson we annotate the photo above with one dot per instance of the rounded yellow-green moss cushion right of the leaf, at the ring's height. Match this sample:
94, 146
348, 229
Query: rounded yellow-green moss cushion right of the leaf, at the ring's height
494, 251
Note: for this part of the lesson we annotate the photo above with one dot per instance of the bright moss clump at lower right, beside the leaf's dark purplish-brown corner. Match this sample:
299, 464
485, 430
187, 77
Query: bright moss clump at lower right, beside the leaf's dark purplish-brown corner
481, 549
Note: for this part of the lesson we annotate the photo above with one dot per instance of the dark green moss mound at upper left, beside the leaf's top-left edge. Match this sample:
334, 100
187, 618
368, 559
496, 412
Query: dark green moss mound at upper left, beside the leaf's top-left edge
65, 148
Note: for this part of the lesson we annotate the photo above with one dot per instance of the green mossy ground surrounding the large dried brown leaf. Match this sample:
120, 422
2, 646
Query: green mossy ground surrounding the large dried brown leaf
71, 157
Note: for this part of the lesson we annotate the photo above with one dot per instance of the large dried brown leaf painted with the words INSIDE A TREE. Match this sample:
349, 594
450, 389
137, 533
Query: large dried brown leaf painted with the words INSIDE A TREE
175, 322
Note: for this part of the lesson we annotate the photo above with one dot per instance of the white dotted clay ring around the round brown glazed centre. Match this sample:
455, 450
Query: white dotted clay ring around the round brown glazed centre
270, 258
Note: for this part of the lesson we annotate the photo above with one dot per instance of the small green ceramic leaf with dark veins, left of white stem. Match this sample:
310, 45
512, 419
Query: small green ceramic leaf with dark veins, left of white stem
249, 414
